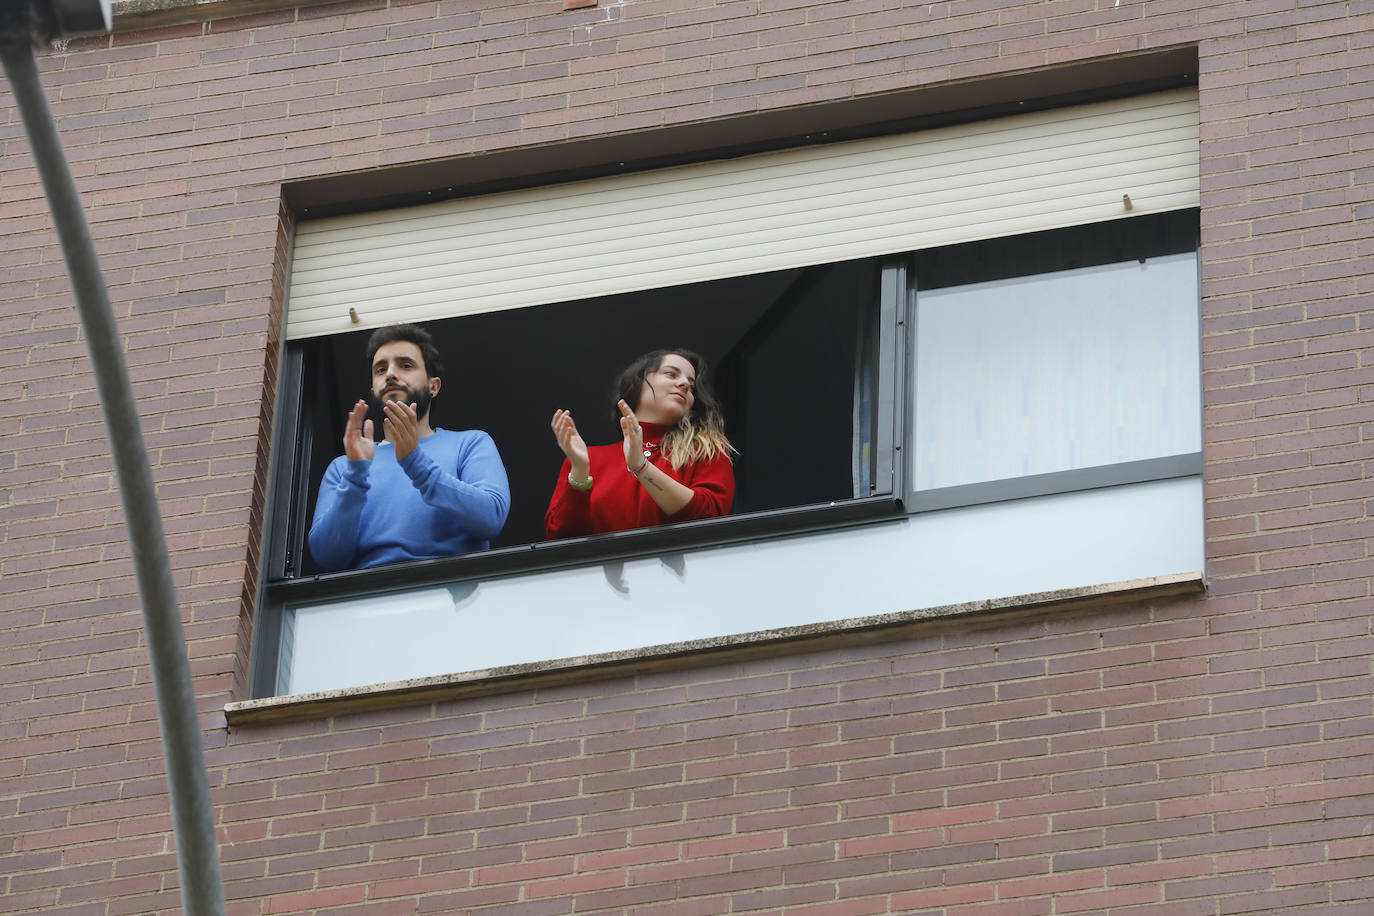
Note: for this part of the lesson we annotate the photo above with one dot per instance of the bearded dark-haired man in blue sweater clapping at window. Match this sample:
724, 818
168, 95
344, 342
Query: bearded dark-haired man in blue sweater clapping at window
421, 494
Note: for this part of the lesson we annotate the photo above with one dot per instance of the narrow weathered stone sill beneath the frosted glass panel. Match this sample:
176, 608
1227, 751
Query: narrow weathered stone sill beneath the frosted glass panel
677, 656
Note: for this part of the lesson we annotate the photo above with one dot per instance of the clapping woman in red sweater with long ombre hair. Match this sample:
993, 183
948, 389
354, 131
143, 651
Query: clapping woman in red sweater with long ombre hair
673, 465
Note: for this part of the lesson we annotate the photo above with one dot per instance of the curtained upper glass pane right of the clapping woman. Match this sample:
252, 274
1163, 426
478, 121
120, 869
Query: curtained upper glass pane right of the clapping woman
1057, 371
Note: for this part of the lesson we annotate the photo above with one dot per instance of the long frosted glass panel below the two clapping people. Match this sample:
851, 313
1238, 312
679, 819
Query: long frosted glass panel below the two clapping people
923, 561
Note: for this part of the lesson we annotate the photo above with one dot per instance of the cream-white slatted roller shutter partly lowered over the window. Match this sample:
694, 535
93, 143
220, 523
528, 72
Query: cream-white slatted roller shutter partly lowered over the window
758, 214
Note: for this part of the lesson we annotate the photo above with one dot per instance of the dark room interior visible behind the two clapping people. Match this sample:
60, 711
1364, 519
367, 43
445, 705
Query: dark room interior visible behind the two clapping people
781, 351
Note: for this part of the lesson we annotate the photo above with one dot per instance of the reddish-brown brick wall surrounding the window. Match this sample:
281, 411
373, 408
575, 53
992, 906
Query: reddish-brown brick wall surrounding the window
1180, 757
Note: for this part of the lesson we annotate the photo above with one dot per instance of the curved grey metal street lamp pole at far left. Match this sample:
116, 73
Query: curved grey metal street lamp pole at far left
193, 816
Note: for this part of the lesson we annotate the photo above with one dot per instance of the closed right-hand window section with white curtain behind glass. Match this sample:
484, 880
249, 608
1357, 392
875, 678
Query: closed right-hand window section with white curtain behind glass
1041, 358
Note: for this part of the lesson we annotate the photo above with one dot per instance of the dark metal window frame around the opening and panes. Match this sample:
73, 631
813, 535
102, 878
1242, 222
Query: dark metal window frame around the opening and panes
894, 494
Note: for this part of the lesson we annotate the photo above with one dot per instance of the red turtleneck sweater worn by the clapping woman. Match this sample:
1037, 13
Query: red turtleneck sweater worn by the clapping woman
619, 502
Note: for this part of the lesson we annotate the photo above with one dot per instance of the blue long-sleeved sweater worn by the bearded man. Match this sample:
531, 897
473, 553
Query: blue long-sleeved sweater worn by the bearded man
449, 496
